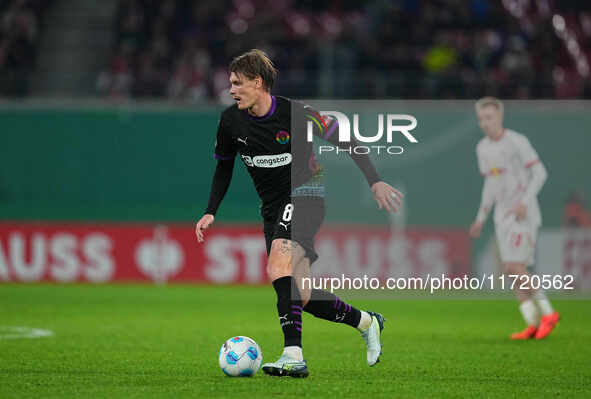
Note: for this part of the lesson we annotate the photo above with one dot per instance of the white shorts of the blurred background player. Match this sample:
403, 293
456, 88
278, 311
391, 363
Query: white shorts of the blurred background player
517, 241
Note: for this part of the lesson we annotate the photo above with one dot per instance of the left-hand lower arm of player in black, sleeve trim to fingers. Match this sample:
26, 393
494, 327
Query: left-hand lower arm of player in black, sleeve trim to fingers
219, 186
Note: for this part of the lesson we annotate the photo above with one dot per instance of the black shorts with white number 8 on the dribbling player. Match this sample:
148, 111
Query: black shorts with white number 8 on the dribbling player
297, 219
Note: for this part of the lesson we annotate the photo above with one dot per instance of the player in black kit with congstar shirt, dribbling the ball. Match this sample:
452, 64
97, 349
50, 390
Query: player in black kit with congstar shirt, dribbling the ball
289, 182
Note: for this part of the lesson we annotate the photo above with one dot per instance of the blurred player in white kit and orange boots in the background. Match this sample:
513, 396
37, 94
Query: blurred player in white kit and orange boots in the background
513, 175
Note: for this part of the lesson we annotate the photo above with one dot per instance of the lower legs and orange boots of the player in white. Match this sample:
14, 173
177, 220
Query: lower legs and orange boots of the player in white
536, 327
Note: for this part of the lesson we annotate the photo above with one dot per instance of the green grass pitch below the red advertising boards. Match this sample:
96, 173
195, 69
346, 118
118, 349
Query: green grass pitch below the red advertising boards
134, 341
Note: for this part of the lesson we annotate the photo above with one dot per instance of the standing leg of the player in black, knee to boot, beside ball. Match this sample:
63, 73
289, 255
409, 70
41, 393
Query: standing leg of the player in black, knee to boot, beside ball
284, 254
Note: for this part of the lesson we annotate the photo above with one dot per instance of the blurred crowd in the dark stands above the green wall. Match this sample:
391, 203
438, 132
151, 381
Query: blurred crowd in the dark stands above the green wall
179, 49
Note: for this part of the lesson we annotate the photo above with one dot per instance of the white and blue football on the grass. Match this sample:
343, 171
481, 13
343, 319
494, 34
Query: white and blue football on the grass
240, 357
